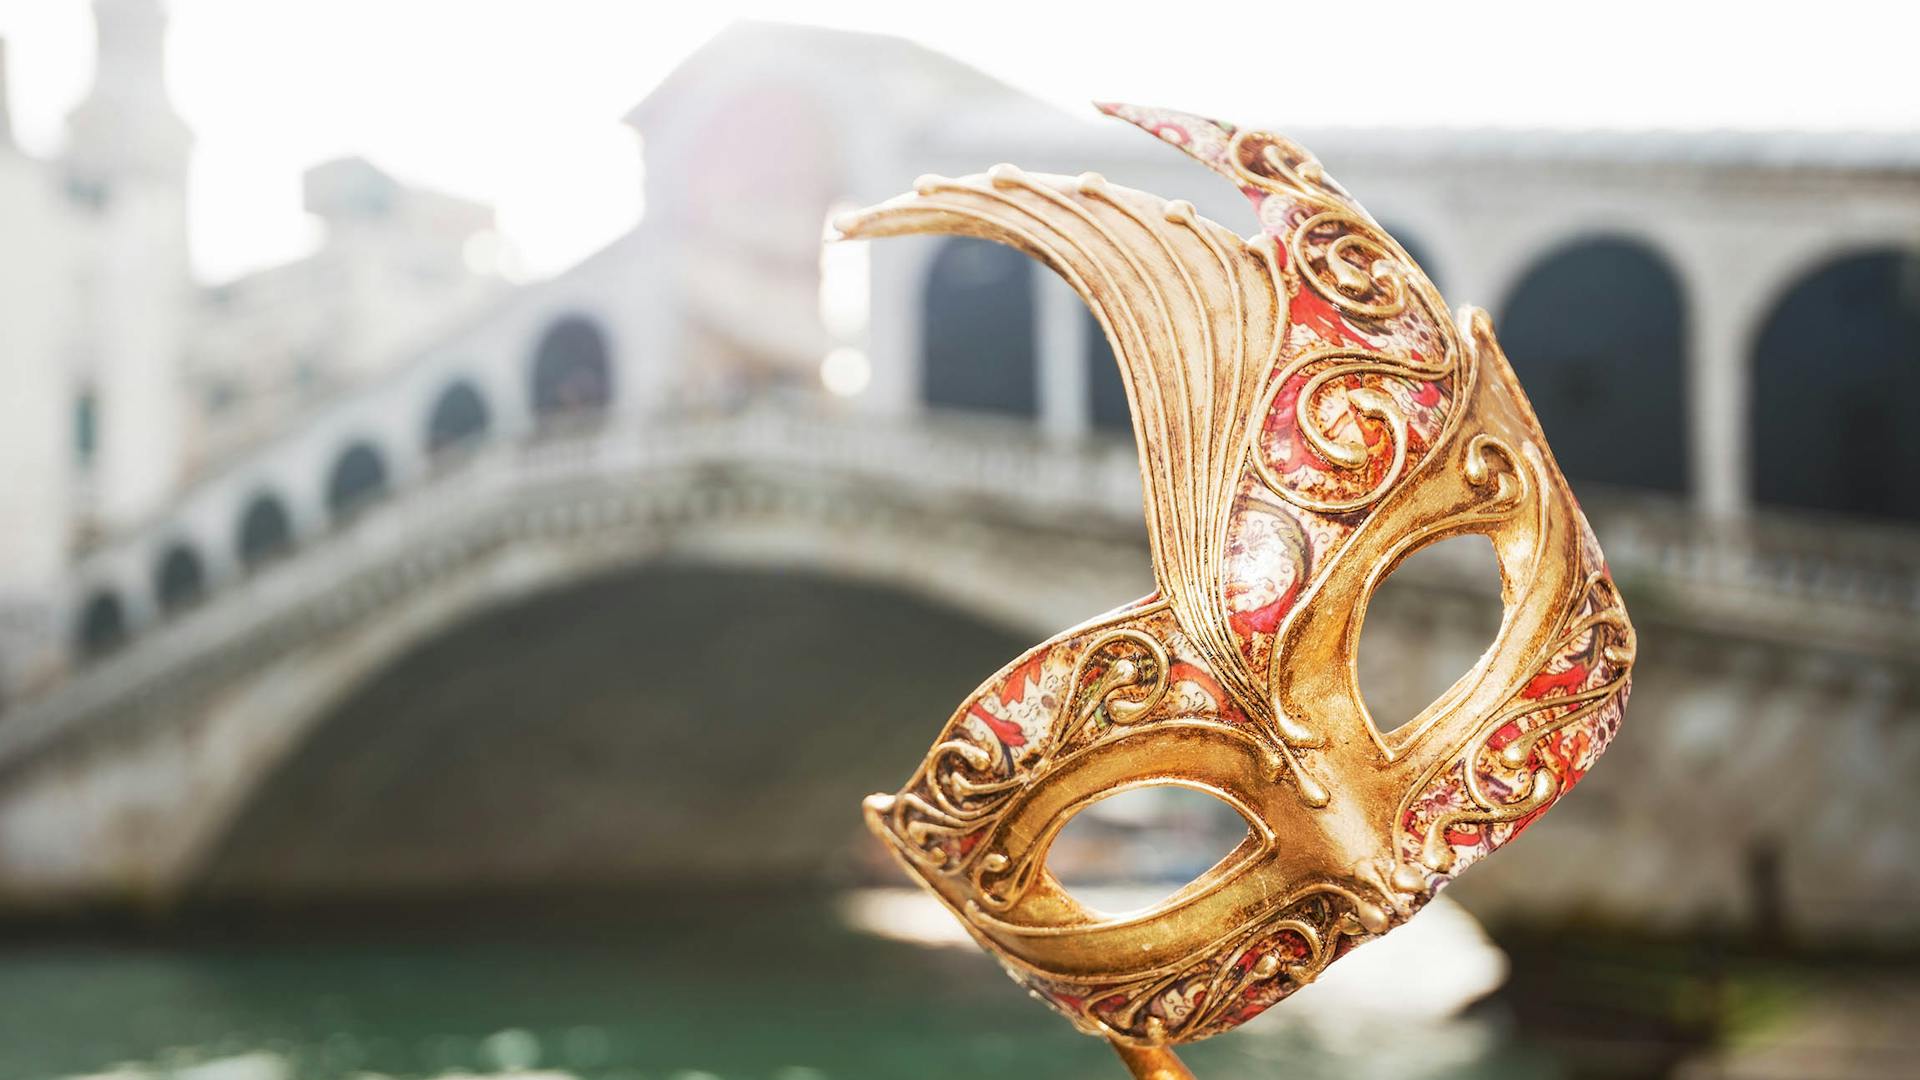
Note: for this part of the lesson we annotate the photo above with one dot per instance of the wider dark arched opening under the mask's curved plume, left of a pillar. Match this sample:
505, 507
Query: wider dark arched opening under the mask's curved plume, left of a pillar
978, 330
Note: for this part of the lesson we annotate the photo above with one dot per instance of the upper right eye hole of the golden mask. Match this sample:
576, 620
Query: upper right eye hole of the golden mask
1428, 629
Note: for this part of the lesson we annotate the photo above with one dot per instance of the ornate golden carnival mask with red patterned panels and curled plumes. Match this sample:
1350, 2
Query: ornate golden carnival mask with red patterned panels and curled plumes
1308, 416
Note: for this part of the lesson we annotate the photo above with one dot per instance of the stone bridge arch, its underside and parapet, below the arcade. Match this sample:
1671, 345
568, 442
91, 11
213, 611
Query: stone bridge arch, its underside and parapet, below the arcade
638, 649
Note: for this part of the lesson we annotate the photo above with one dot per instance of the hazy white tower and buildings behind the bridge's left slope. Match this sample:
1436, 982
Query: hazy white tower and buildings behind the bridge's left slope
128, 380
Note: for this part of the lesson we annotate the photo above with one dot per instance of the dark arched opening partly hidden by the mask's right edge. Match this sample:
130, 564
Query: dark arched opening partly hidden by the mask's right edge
1596, 333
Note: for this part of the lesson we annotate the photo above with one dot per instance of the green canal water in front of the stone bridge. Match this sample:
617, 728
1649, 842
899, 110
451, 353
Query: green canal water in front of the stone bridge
688, 991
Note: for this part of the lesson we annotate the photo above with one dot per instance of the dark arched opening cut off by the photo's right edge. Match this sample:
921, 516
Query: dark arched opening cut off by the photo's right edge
1835, 380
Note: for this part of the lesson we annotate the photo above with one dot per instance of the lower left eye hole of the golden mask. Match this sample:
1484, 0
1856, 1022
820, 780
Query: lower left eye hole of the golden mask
1140, 847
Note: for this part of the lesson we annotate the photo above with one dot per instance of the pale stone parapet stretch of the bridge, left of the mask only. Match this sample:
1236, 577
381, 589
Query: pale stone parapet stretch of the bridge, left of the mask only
660, 470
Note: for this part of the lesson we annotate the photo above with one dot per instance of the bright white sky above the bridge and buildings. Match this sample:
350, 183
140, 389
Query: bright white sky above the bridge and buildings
517, 103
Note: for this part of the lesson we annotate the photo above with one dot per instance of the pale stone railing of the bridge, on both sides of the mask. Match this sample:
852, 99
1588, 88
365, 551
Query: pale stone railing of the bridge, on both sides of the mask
1854, 587
